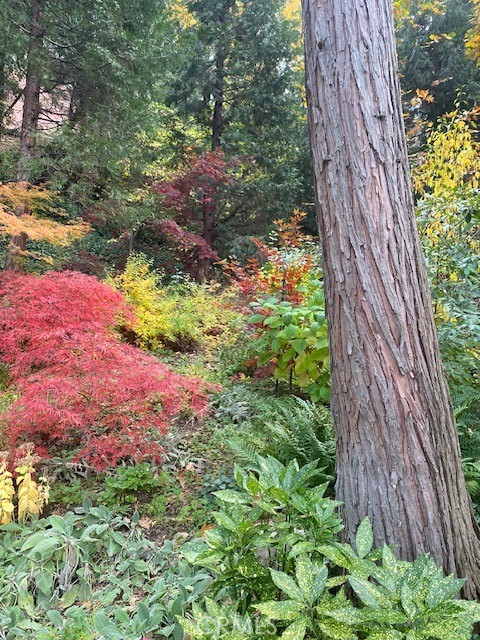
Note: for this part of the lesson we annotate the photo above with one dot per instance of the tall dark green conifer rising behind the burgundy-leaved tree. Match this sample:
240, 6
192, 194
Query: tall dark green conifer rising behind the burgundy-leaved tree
238, 80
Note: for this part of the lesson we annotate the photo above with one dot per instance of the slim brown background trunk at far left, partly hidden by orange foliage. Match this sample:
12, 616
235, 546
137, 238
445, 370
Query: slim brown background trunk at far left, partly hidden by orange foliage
31, 112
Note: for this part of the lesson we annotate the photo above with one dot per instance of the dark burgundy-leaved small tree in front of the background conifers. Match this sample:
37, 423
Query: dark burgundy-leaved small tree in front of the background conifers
193, 198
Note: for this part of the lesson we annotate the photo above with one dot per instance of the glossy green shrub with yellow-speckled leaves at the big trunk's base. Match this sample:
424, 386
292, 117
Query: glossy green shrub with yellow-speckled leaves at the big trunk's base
280, 572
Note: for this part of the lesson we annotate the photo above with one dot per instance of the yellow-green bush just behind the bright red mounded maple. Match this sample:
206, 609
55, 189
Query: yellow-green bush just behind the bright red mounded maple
184, 315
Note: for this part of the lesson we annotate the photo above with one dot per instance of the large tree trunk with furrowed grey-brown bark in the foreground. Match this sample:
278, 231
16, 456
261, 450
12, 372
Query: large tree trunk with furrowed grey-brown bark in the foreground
398, 456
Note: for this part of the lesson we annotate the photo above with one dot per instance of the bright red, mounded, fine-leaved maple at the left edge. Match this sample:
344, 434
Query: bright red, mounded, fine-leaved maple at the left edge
77, 383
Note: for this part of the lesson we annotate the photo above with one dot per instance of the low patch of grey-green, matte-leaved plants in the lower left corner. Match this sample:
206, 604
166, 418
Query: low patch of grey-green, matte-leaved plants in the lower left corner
93, 571
